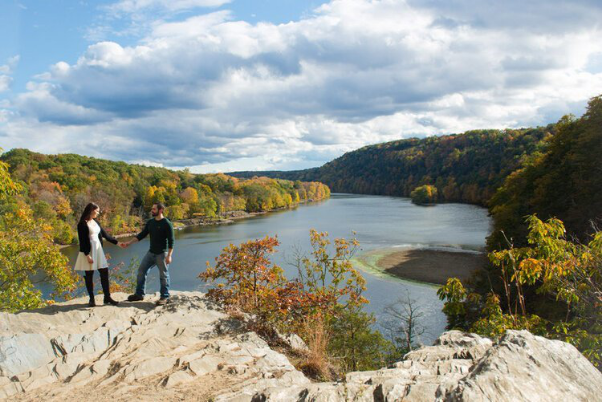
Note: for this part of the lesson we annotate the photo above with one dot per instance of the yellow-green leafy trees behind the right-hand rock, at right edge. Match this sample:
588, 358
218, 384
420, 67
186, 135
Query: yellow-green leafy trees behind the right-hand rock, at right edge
555, 266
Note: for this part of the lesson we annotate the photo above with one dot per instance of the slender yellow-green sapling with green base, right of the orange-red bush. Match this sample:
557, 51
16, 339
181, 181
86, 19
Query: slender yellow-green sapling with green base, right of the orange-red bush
329, 277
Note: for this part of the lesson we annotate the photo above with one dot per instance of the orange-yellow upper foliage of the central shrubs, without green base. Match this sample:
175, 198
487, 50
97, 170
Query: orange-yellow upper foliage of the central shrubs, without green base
246, 279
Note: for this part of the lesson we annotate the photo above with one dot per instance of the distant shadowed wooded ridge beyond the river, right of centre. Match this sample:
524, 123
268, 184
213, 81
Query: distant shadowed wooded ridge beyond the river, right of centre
465, 168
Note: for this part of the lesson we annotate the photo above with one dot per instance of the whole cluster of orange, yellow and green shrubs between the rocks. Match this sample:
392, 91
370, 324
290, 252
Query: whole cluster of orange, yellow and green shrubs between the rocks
324, 305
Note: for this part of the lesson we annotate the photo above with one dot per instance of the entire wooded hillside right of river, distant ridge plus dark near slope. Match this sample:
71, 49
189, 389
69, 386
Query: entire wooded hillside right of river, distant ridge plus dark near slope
552, 171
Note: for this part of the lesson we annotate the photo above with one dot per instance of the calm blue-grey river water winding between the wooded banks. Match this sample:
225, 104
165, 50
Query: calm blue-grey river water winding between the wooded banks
379, 222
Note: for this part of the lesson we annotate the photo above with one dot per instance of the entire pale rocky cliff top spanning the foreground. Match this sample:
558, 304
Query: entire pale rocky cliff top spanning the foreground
191, 350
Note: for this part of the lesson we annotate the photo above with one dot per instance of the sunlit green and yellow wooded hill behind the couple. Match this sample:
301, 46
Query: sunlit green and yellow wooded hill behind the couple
58, 187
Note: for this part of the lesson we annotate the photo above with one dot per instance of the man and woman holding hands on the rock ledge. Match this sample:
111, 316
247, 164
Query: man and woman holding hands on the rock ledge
92, 257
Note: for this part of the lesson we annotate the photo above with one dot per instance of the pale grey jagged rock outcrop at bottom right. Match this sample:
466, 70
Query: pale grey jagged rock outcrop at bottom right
467, 368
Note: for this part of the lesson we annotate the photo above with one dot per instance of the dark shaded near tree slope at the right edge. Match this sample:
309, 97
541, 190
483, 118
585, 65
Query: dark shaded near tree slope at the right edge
565, 182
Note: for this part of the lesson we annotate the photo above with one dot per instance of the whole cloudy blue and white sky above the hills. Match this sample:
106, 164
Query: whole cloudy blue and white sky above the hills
229, 85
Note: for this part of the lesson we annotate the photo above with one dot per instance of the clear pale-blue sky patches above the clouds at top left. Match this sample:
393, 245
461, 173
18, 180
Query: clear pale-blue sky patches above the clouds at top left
44, 31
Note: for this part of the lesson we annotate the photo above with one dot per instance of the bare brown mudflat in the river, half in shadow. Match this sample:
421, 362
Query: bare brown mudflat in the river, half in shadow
423, 265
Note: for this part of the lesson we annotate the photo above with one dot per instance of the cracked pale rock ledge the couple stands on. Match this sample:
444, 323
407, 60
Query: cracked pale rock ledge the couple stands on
188, 350
